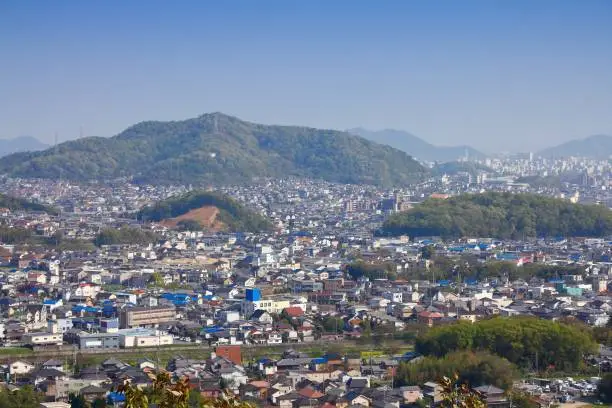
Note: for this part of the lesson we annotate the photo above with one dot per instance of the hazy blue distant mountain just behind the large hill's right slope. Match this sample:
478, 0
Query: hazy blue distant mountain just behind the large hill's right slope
417, 147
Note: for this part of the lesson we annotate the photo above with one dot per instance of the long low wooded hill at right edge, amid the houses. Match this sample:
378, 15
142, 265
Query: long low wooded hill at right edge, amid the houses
501, 215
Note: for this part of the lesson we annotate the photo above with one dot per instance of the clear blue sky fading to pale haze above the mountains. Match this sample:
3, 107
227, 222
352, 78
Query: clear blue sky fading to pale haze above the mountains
513, 75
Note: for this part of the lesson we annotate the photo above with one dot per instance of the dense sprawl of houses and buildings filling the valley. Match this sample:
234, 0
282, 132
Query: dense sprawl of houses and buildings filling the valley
320, 311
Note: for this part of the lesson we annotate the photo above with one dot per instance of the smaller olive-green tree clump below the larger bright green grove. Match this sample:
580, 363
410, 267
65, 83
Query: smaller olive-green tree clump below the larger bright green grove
475, 368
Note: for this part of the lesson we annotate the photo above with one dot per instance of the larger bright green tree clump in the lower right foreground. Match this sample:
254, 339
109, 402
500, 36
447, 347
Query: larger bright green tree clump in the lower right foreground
519, 339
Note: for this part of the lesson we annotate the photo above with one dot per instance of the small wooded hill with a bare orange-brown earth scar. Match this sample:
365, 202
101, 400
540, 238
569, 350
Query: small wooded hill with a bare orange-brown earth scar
231, 215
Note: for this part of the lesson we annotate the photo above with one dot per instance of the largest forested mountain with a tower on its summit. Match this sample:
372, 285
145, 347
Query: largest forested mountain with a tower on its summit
217, 148
